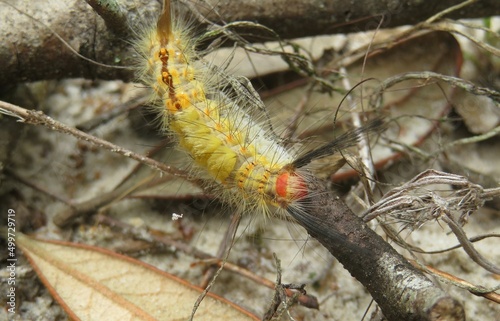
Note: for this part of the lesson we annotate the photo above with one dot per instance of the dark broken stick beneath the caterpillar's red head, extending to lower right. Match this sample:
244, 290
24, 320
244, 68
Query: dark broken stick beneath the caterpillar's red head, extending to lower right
401, 291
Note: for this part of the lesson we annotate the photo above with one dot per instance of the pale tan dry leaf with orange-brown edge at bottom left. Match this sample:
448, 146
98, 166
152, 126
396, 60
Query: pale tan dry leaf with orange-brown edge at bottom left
92, 283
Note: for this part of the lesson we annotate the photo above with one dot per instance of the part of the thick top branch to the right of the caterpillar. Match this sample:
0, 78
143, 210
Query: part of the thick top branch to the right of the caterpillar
299, 18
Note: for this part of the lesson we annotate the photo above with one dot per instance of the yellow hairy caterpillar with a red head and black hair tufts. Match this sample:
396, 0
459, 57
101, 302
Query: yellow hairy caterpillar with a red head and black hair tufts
242, 157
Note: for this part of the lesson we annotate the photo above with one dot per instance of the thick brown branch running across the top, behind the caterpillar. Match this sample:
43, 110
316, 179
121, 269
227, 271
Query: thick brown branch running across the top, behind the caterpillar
31, 47
